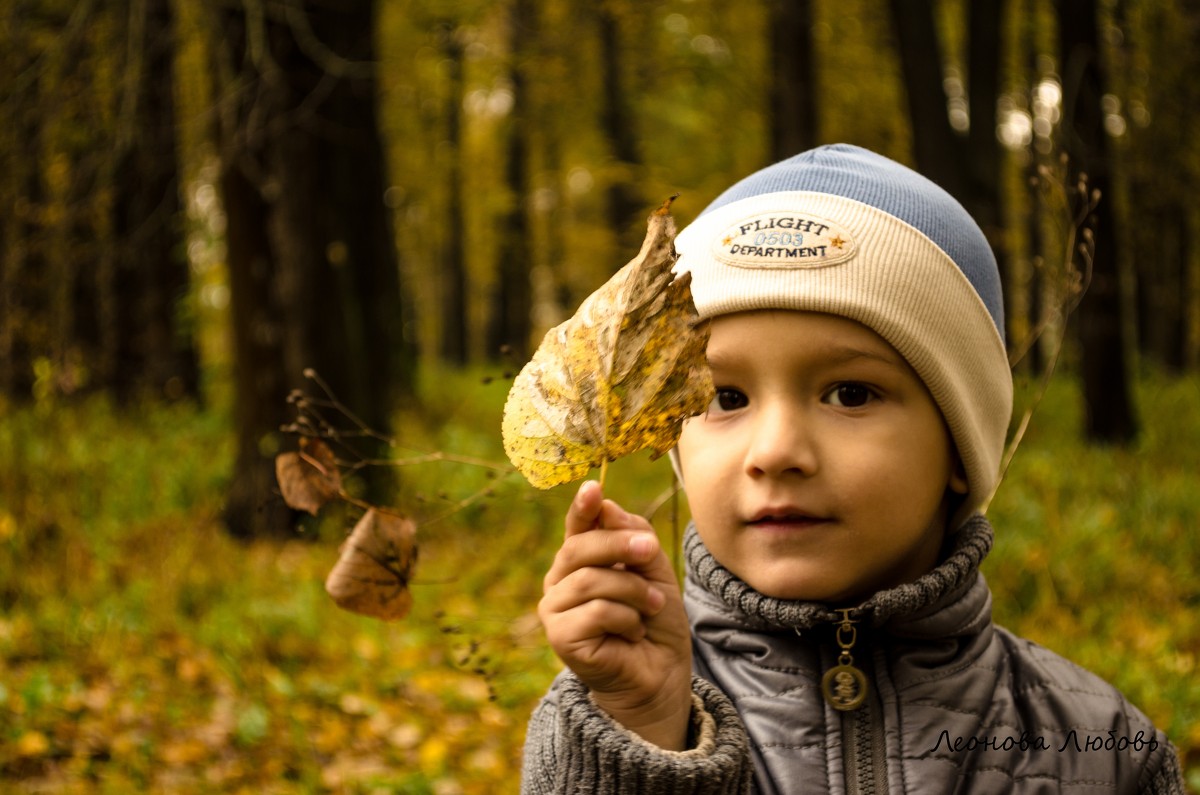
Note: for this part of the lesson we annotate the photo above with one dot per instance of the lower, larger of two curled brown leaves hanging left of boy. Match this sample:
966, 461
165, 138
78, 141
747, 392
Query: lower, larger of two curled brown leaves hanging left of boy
371, 576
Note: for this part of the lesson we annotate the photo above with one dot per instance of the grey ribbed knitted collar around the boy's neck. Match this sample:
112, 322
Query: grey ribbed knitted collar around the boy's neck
908, 605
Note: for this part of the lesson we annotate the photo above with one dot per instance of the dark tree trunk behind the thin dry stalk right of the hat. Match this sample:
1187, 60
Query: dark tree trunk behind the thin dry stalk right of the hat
1107, 393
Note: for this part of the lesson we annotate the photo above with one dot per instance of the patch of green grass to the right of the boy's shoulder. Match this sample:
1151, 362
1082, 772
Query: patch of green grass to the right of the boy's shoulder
1096, 552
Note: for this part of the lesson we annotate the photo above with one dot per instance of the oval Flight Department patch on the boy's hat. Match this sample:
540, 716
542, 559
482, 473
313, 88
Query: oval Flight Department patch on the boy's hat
784, 241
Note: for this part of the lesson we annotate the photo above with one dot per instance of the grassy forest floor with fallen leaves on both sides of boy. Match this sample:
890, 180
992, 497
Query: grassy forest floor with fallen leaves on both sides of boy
143, 650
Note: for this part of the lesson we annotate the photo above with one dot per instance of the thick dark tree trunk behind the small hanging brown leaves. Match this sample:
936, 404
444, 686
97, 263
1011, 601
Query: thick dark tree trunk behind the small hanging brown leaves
315, 274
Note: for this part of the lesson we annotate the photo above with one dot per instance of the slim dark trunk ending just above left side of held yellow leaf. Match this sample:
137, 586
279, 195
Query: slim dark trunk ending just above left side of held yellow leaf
513, 301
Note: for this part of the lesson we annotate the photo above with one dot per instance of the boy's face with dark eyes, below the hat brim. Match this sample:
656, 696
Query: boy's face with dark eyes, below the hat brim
821, 470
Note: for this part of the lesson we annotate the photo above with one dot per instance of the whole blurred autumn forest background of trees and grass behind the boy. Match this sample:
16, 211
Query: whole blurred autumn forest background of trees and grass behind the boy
202, 201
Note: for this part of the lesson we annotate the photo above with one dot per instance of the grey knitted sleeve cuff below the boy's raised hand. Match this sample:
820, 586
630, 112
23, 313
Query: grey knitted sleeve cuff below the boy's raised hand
573, 746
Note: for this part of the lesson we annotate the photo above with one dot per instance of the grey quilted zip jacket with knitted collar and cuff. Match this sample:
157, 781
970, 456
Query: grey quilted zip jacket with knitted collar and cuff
914, 691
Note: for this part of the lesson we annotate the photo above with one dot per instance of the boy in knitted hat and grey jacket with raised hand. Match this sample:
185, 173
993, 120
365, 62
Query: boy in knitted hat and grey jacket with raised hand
835, 633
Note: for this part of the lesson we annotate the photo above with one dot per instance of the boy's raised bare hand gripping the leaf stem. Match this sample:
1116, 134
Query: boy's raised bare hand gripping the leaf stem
614, 614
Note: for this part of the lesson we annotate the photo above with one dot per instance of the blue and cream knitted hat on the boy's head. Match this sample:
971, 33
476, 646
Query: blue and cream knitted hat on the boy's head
844, 231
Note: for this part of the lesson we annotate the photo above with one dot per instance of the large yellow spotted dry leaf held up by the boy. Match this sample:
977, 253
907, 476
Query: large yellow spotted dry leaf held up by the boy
620, 376
